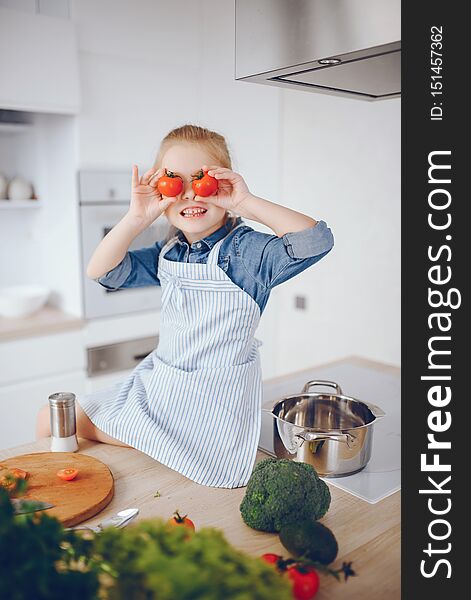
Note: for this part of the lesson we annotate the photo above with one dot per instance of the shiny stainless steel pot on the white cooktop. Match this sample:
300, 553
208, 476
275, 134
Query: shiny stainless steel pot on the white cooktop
332, 432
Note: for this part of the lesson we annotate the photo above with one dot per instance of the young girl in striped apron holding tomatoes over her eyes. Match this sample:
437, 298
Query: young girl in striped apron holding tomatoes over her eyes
194, 403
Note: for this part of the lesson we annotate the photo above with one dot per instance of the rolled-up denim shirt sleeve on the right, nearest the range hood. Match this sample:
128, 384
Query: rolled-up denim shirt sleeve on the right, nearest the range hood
271, 260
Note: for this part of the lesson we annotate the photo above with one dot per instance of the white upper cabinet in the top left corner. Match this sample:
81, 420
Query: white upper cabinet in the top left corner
38, 63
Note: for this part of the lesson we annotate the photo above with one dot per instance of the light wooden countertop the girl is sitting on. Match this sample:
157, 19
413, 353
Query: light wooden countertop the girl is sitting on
367, 534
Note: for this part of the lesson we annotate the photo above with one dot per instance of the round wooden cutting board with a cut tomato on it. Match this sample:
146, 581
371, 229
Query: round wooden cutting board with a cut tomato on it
74, 501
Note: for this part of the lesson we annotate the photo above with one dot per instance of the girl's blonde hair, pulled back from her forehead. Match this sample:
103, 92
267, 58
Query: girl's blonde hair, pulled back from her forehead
214, 143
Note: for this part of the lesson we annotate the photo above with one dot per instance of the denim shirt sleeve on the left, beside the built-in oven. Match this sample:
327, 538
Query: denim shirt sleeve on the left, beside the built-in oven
137, 269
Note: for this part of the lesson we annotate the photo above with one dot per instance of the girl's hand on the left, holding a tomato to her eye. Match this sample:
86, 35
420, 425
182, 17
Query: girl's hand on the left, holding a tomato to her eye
147, 203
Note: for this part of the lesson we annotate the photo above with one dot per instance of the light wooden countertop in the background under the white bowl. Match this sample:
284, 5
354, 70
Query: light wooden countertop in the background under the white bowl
44, 321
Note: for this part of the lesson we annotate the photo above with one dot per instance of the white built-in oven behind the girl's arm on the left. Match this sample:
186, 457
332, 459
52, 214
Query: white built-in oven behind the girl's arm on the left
104, 198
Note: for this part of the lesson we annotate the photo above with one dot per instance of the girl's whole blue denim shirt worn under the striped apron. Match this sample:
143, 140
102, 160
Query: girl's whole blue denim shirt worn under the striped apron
253, 260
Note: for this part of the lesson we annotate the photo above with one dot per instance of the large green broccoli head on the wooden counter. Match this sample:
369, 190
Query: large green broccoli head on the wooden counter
281, 491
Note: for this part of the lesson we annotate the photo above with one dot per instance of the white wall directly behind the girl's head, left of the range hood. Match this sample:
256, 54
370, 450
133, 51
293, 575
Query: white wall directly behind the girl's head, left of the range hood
147, 67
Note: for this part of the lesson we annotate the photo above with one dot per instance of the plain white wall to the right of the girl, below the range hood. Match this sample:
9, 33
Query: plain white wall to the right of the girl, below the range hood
341, 163
